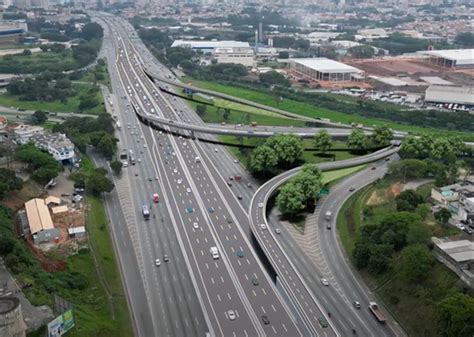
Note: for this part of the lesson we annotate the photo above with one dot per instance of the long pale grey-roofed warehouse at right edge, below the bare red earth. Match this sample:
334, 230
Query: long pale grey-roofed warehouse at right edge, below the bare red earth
450, 95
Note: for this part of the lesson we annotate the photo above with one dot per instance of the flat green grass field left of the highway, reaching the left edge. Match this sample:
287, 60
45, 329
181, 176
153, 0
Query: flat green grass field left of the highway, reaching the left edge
72, 104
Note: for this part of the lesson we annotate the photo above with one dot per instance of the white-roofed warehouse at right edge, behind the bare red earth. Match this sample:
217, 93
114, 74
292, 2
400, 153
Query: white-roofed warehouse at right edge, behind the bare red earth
450, 58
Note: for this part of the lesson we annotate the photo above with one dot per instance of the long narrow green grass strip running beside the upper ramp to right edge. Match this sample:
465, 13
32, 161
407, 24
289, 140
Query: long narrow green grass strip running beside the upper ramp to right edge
306, 109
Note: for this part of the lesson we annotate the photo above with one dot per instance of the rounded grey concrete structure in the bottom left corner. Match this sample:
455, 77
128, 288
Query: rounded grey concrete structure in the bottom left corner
11, 317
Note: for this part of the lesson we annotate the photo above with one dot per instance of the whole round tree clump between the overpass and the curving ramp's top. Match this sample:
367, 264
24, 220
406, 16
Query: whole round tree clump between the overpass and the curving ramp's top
280, 151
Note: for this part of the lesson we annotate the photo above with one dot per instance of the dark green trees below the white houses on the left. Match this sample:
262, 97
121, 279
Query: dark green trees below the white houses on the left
42, 166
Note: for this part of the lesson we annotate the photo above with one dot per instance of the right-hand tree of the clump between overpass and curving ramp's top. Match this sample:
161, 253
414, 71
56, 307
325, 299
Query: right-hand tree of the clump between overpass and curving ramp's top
288, 148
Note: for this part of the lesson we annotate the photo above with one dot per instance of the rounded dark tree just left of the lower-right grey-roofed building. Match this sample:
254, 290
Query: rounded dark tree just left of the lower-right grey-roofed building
416, 262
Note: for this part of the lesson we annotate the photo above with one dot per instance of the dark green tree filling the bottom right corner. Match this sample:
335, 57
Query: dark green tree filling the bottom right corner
456, 315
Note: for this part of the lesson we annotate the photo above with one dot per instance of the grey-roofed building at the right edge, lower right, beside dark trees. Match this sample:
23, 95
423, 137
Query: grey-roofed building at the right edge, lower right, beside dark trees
457, 256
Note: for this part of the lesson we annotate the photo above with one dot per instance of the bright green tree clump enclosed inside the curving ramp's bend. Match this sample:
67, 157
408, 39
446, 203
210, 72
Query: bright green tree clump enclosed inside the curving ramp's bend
300, 192
